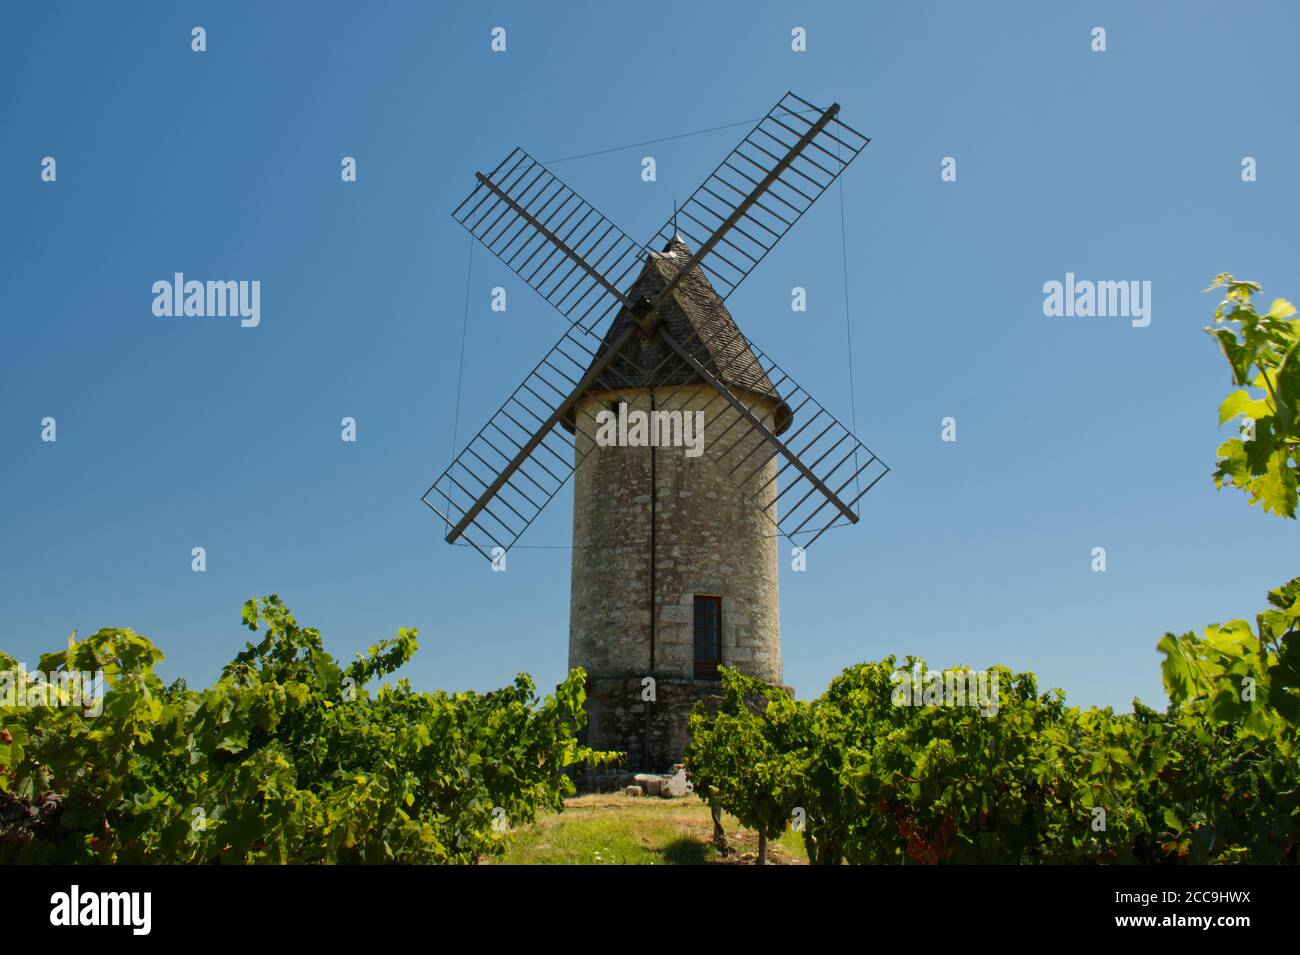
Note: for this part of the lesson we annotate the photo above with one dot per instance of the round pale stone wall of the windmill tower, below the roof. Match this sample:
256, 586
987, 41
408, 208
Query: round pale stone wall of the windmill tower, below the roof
710, 539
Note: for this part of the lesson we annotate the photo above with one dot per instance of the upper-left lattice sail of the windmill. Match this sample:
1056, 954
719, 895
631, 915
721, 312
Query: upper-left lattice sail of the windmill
552, 238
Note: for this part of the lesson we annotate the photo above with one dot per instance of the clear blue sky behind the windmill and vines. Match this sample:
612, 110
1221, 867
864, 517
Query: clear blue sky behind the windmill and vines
1073, 433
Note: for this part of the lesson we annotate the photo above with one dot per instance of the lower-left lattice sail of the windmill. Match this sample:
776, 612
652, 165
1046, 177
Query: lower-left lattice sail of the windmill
519, 461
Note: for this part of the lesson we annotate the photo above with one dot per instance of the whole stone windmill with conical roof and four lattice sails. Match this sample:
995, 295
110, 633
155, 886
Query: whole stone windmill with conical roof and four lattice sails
674, 555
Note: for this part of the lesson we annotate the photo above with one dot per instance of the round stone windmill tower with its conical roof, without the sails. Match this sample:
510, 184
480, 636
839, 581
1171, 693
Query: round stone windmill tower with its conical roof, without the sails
674, 574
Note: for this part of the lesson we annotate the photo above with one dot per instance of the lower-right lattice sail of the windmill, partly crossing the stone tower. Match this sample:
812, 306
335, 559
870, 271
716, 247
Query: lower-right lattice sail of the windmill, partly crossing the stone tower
825, 471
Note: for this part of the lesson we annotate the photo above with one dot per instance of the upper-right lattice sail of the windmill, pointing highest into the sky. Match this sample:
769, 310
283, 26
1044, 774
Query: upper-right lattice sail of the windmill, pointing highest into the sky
762, 189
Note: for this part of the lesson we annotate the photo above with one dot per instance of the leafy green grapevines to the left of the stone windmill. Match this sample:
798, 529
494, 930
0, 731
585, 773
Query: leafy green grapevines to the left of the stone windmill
289, 758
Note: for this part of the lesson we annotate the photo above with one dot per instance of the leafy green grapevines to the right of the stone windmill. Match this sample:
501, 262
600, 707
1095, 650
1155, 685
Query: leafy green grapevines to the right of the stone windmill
868, 779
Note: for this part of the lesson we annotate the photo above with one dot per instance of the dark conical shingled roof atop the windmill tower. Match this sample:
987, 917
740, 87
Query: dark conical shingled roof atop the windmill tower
696, 316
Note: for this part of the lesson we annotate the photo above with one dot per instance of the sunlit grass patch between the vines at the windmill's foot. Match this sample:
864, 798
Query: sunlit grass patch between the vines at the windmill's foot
642, 831
